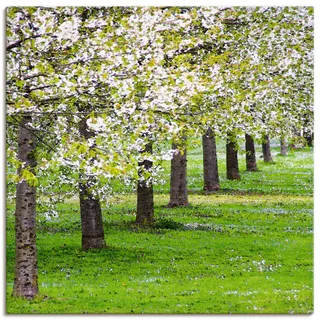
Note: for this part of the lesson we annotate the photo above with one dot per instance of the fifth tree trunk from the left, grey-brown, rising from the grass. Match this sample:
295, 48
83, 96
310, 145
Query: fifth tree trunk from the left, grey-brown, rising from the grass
210, 163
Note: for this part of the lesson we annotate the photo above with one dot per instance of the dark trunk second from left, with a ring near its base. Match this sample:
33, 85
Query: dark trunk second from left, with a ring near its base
90, 209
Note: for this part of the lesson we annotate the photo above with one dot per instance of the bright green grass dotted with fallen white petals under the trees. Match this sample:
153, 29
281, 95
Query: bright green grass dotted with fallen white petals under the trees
245, 249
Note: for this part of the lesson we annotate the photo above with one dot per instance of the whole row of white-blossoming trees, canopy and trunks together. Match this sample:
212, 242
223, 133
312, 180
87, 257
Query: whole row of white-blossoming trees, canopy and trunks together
92, 94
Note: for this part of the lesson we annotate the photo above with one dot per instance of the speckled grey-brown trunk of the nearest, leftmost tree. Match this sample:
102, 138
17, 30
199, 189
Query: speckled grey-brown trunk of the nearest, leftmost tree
26, 271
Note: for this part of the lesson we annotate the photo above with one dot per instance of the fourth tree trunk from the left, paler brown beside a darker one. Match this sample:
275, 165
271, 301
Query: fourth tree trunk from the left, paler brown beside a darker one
178, 179
